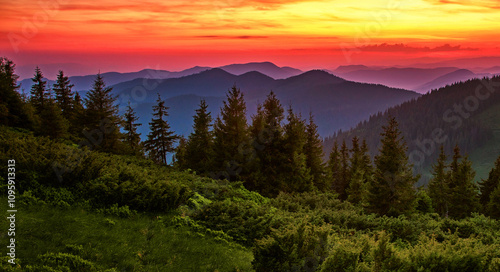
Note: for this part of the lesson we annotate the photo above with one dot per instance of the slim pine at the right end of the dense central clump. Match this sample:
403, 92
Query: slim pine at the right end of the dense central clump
313, 149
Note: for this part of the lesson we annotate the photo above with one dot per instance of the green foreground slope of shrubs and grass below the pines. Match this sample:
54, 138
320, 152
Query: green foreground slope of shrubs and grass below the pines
119, 213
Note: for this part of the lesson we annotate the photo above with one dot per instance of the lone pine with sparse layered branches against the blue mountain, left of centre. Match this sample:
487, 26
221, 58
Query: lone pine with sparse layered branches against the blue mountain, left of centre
160, 140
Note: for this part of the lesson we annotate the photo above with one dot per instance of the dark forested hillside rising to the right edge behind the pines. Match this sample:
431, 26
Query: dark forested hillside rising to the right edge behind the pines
462, 114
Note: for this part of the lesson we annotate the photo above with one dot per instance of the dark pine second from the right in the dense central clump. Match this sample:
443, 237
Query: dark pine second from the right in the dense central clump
297, 175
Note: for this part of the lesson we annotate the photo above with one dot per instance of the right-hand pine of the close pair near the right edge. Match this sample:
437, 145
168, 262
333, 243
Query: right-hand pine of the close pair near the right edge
464, 198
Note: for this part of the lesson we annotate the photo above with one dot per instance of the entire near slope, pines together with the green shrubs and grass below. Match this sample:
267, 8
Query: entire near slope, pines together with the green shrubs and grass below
235, 196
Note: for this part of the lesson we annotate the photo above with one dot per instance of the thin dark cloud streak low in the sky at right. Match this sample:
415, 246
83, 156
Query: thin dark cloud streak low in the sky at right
413, 49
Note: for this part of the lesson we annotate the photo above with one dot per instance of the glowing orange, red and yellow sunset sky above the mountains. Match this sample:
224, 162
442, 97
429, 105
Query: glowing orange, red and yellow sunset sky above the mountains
128, 35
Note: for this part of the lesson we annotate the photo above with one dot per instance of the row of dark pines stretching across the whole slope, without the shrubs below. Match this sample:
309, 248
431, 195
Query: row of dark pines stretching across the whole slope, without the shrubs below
275, 152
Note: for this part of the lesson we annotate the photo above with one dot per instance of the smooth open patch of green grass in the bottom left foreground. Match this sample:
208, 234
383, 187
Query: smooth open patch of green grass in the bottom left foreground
140, 243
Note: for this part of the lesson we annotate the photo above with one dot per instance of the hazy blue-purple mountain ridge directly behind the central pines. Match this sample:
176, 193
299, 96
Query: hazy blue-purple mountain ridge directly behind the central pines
336, 103
